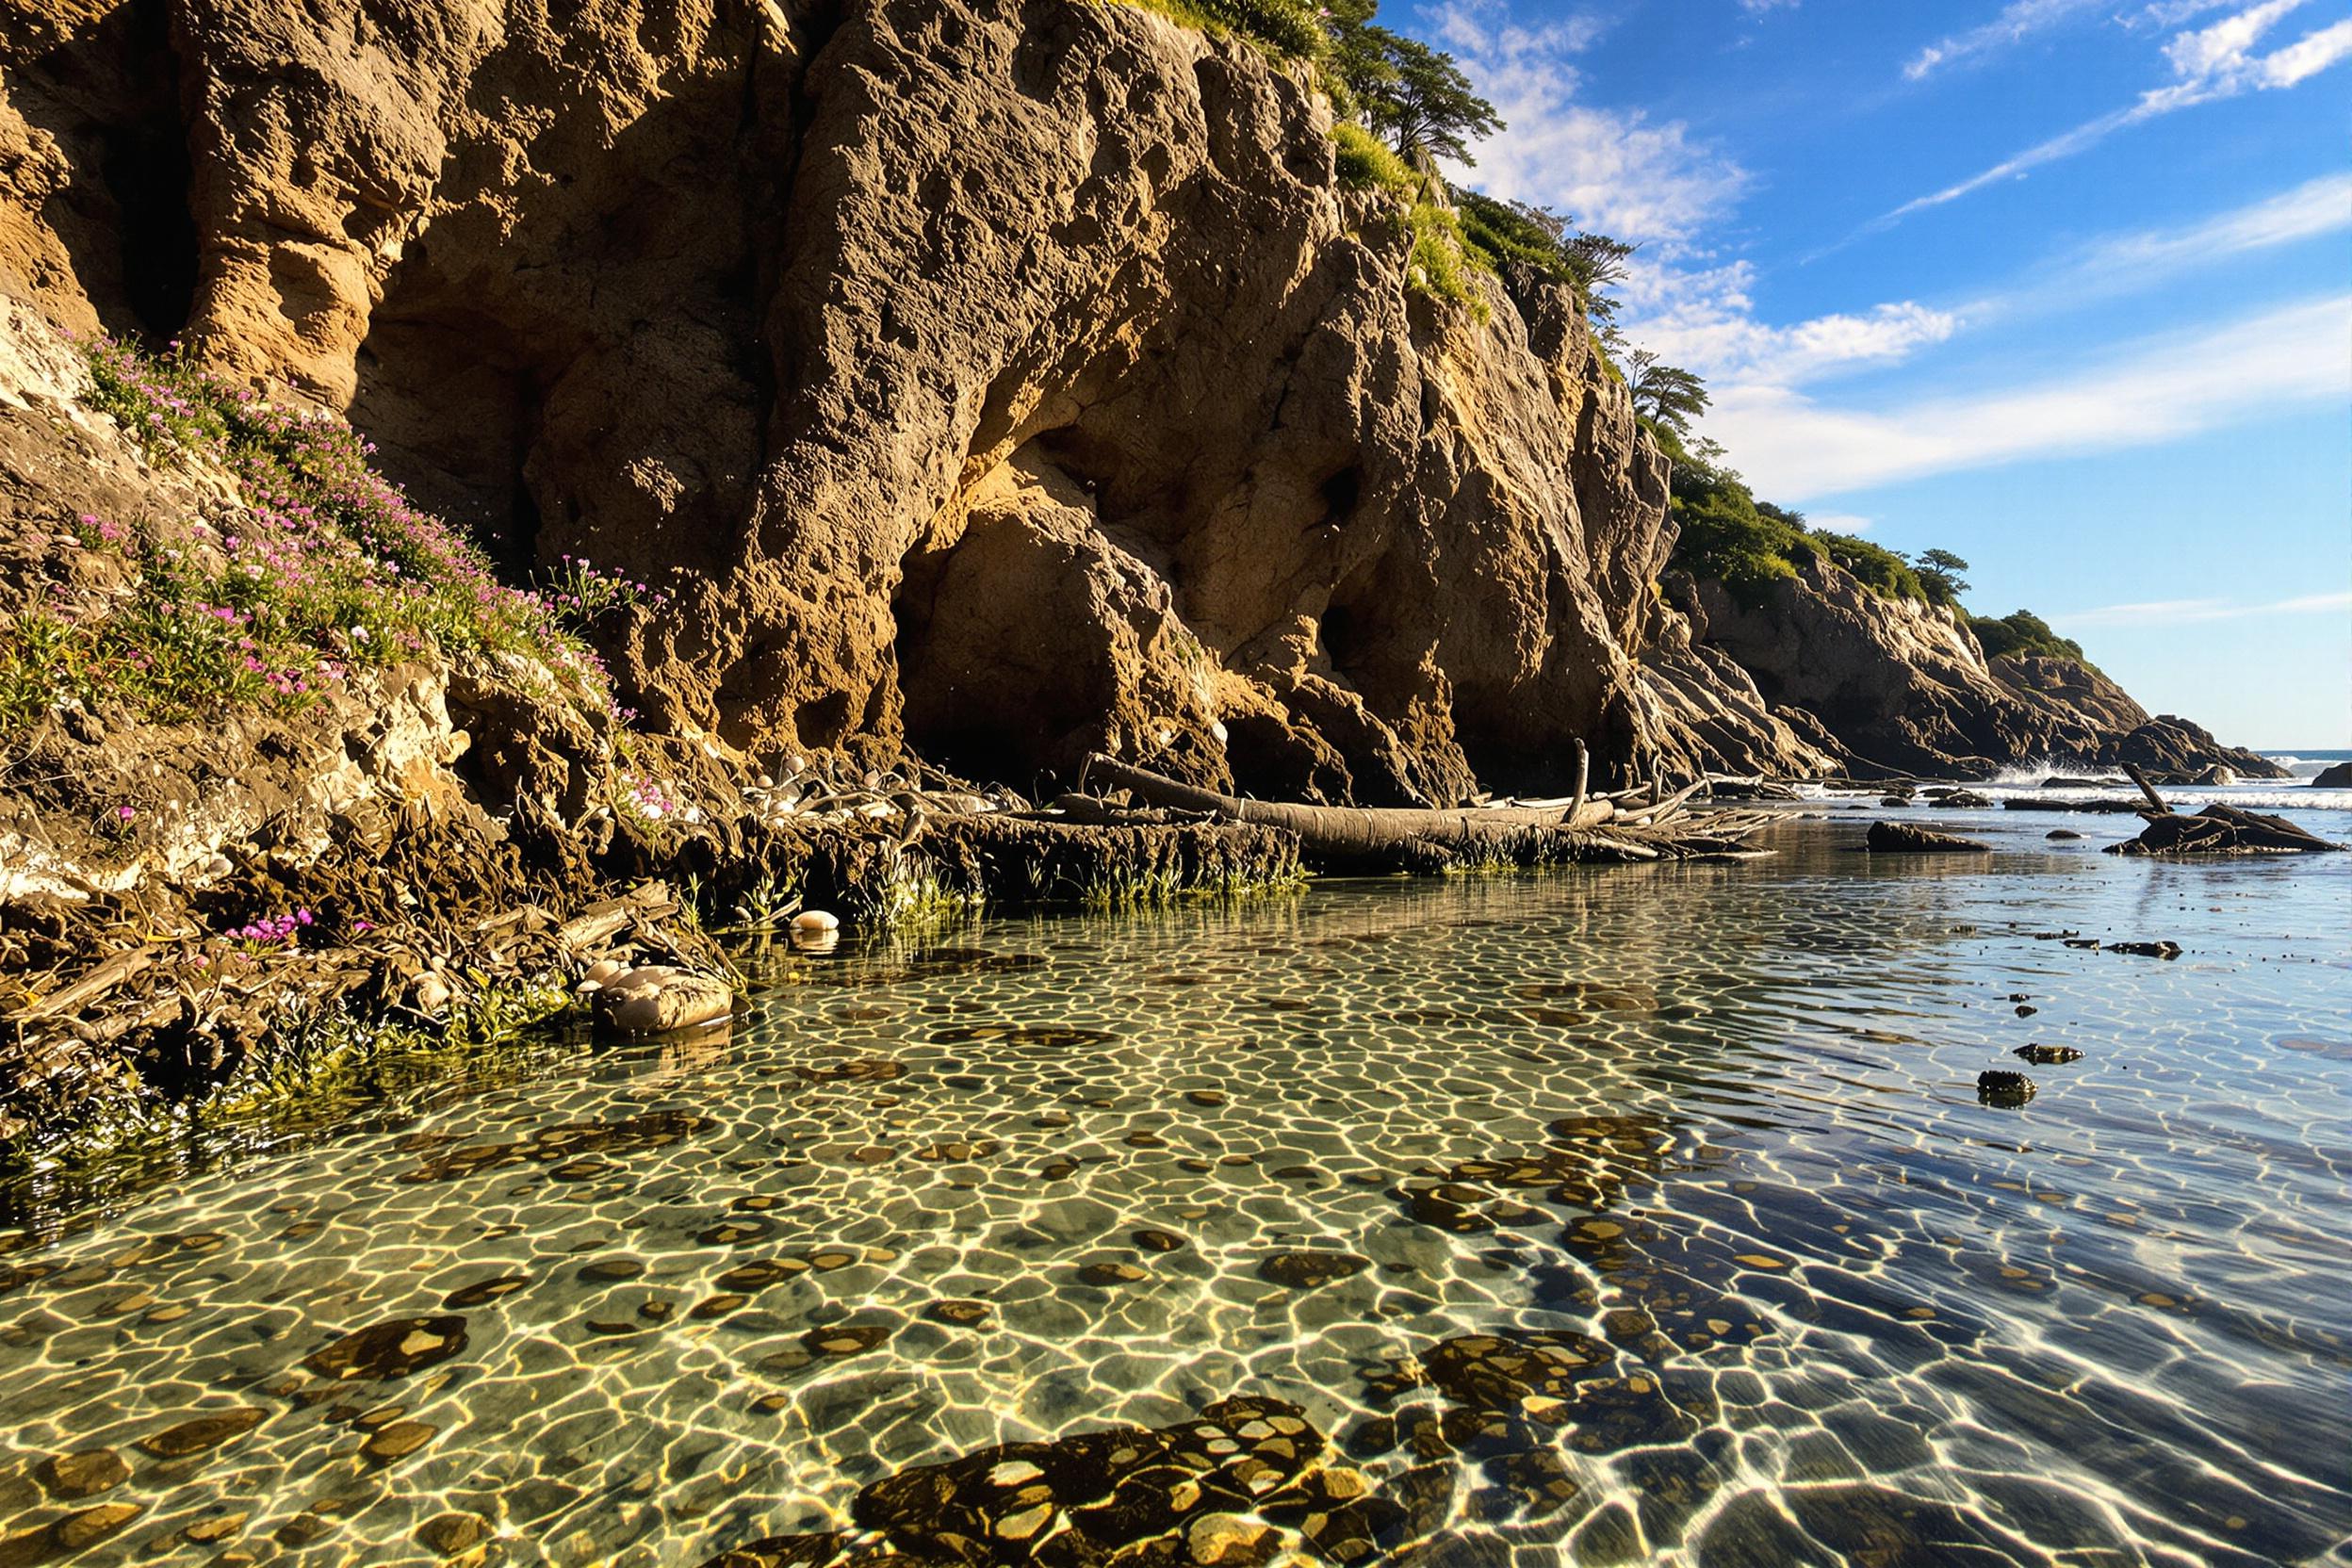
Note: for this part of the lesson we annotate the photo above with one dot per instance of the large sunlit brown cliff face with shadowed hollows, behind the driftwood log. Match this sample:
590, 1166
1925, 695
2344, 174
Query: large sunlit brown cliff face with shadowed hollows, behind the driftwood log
996, 380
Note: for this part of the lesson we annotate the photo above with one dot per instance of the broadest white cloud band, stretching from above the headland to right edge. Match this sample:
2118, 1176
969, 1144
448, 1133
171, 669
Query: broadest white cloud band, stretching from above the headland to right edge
1793, 448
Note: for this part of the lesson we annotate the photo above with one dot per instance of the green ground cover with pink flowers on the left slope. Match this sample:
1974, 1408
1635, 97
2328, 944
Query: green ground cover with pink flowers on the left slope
319, 572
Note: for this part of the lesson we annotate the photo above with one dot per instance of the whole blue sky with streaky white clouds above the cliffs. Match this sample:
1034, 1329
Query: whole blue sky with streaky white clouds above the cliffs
2059, 286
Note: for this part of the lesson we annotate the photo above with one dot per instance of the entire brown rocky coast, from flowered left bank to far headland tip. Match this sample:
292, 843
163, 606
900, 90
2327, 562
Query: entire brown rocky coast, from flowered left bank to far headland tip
460, 460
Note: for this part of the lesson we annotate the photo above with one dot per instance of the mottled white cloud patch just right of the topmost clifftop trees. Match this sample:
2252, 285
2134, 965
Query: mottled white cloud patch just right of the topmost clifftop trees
1612, 173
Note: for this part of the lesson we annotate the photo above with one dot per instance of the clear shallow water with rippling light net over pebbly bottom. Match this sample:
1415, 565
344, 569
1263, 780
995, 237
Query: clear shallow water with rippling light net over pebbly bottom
1650, 1217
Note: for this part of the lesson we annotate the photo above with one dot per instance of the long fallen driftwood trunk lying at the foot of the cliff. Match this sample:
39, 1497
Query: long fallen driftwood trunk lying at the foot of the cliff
1356, 836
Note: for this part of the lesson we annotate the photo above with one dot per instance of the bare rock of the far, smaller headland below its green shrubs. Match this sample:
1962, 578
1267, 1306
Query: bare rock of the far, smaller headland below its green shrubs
1904, 685
